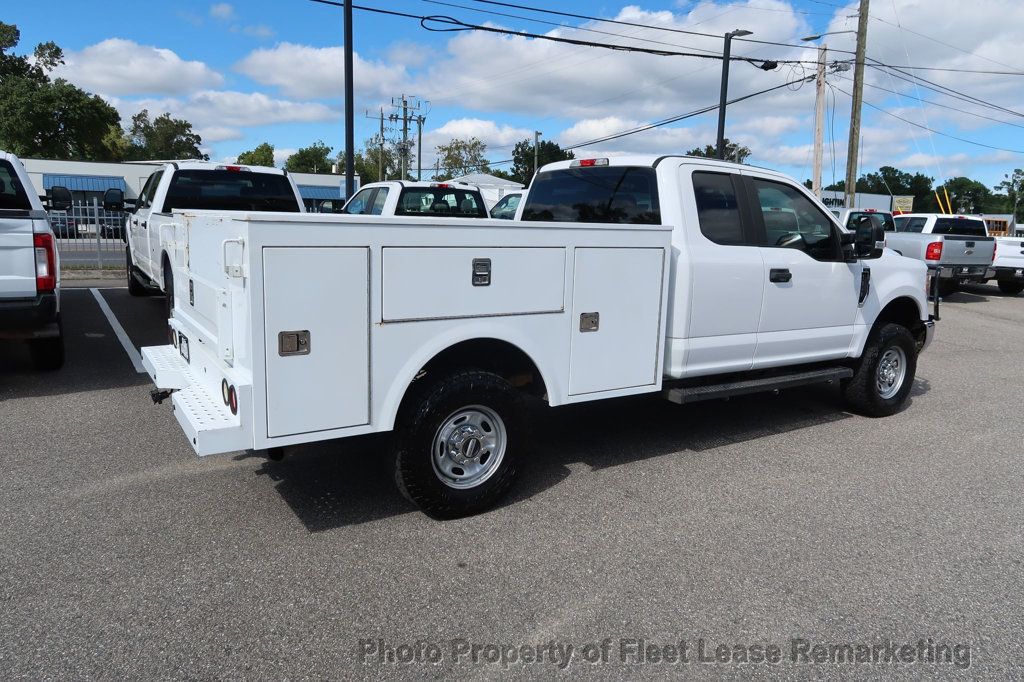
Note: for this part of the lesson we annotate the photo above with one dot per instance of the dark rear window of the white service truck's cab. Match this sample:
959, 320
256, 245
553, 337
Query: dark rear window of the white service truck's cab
598, 194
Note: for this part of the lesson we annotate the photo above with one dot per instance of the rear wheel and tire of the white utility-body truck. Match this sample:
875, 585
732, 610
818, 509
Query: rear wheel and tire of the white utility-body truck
459, 442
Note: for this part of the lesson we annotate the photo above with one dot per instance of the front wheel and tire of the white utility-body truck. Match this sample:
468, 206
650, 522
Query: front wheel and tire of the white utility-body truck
884, 377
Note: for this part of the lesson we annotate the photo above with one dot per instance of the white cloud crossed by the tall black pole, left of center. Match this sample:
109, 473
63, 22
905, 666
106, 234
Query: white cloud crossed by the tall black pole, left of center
303, 71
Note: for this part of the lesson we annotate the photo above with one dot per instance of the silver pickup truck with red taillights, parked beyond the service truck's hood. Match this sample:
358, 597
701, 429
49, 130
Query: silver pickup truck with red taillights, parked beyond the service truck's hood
957, 248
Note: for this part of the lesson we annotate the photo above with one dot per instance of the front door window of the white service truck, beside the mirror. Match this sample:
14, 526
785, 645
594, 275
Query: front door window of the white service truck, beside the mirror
793, 222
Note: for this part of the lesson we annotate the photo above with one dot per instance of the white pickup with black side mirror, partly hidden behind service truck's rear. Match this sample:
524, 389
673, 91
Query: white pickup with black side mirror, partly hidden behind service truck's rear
190, 186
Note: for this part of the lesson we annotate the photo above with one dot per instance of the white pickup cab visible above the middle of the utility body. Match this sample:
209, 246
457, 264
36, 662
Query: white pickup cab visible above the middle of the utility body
449, 200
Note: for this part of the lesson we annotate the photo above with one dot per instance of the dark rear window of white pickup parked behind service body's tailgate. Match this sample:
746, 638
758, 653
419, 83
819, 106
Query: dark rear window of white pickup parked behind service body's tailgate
231, 191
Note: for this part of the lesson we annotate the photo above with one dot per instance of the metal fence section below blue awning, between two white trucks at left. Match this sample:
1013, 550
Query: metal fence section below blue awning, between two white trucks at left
90, 237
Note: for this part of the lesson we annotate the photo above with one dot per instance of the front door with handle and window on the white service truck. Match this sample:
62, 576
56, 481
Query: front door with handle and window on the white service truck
812, 295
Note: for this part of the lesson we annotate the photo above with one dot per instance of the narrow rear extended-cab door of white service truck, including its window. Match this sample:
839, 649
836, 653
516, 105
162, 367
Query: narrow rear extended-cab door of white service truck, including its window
720, 265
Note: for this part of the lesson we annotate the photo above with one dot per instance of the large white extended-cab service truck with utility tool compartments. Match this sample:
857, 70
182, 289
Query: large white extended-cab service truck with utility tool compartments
693, 278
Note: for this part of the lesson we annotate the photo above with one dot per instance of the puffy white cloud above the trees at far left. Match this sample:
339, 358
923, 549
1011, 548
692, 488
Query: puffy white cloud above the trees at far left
117, 66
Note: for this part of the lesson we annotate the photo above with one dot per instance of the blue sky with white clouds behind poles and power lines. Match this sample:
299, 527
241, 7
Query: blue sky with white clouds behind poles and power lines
254, 71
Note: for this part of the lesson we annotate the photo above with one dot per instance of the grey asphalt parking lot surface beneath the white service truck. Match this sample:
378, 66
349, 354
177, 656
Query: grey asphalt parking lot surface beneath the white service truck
766, 521
